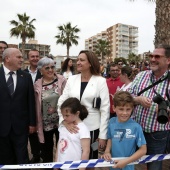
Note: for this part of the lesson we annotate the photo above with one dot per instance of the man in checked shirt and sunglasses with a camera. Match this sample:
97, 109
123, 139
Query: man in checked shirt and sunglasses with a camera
146, 112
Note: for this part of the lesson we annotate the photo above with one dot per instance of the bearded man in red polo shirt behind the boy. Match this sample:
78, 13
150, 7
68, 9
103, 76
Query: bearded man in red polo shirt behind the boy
113, 84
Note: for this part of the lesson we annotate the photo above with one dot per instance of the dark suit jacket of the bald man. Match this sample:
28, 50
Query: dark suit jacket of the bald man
18, 111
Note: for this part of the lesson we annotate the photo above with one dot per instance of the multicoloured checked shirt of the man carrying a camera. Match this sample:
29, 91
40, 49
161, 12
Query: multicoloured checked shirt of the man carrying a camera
147, 117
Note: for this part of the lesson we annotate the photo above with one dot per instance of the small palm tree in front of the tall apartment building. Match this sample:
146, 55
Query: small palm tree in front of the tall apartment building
102, 48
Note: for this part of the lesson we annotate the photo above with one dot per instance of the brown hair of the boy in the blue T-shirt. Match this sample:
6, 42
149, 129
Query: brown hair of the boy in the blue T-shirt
121, 98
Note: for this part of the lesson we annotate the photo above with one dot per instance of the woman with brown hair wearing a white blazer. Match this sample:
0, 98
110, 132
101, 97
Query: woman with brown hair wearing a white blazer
86, 86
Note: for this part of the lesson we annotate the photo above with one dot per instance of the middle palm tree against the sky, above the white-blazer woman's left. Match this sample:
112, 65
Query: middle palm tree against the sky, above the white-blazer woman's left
67, 35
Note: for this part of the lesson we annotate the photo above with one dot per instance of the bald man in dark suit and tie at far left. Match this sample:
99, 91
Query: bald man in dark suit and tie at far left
17, 109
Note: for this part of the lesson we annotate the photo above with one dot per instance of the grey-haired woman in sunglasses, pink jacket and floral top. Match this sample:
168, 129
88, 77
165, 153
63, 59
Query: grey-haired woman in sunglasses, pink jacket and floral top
47, 91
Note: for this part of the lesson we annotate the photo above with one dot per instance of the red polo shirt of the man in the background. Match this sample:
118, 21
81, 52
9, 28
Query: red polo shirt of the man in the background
113, 86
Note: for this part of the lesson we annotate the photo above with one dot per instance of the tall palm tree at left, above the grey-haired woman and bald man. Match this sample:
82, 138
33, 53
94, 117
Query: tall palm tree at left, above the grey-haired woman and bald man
23, 28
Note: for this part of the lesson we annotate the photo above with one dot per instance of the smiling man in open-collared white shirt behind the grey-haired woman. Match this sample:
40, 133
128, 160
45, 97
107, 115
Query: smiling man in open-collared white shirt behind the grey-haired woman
33, 58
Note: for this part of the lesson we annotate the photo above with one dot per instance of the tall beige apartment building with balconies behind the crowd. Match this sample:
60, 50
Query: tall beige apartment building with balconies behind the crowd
123, 39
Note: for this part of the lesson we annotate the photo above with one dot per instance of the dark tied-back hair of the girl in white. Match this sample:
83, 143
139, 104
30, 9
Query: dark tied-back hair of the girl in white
74, 105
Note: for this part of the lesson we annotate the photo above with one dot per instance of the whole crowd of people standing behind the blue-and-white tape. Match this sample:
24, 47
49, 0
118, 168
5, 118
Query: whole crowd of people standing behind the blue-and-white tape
124, 113
